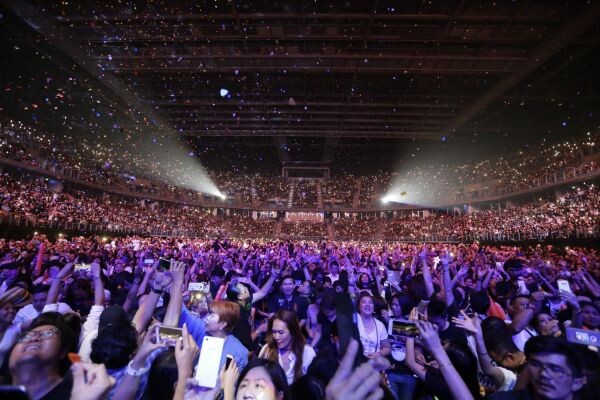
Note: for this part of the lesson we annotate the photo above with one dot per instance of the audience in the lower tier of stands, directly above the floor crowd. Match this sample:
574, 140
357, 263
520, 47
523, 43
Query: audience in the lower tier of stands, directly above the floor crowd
576, 213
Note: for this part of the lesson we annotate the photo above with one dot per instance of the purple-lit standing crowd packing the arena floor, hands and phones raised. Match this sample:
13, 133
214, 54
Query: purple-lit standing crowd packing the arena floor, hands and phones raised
90, 318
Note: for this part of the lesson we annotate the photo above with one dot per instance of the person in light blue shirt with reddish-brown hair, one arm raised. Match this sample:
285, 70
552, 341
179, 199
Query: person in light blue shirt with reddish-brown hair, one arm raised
223, 316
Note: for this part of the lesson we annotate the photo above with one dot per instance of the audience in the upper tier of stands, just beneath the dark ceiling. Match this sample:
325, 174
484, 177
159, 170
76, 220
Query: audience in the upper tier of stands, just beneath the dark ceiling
103, 165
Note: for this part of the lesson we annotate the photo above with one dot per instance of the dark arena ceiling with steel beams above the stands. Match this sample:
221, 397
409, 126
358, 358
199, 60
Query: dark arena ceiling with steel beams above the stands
318, 81
